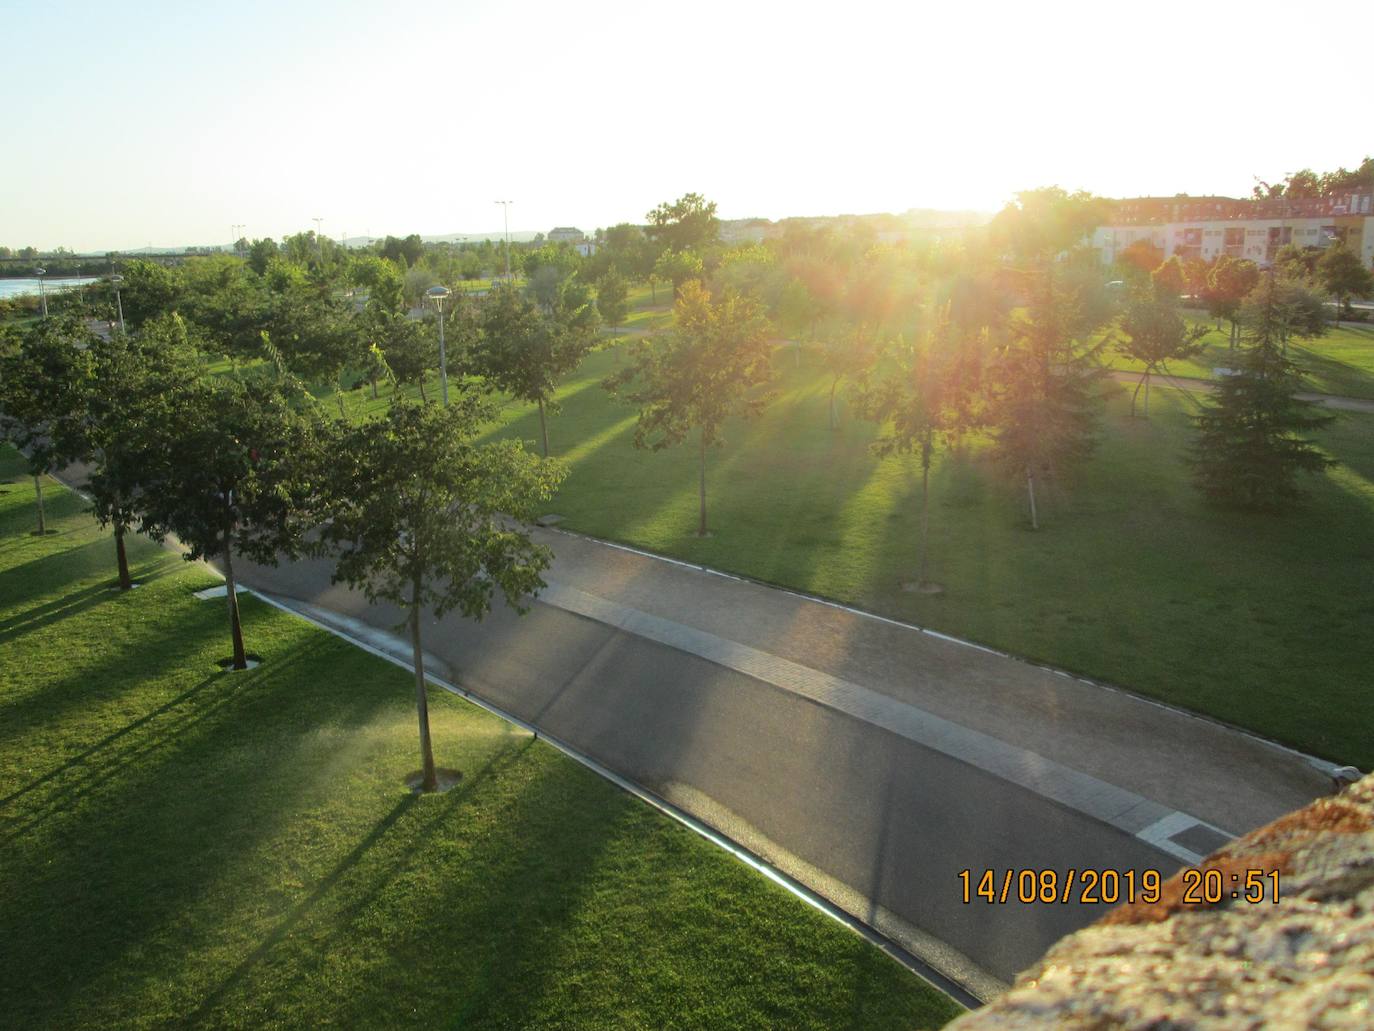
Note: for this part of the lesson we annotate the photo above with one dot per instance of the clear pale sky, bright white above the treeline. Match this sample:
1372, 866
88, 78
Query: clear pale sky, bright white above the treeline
166, 123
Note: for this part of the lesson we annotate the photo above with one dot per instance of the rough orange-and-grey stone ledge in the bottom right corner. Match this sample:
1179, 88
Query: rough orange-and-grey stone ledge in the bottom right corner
1307, 962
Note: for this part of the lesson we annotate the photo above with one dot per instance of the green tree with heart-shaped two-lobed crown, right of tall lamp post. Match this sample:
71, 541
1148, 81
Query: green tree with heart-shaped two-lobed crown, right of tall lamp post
526, 351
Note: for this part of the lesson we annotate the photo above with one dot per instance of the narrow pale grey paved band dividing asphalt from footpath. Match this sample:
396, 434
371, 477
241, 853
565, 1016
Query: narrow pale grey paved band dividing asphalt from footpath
1123, 809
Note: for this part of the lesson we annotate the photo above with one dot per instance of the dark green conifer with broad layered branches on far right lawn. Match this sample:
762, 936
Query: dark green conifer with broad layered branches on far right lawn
1250, 445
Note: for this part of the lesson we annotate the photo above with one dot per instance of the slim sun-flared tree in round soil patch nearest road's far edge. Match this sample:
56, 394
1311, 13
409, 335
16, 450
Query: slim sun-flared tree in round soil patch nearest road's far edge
906, 391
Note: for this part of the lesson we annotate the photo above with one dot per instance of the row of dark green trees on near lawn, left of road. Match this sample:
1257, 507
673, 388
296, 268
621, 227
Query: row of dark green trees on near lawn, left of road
412, 507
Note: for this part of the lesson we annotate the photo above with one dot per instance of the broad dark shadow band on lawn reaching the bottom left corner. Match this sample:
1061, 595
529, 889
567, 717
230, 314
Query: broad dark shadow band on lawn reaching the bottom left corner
168, 809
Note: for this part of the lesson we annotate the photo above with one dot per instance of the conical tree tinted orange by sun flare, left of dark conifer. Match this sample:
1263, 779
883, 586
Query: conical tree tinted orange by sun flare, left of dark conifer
1044, 401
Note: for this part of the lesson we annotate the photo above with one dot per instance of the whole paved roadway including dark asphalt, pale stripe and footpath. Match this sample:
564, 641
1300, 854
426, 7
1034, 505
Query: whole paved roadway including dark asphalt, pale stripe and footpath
868, 760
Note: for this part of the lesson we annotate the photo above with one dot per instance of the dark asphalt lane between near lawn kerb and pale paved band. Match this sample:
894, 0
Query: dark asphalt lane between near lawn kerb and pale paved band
877, 823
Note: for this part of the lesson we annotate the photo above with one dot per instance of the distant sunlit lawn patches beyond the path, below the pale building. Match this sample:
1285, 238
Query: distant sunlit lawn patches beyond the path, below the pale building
1340, 364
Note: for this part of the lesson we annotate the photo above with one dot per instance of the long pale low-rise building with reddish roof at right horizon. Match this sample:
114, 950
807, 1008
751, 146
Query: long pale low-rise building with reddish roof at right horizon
1207, 228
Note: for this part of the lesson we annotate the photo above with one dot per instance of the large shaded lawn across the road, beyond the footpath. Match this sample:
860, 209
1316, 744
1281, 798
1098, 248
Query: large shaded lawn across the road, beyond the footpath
1259, 621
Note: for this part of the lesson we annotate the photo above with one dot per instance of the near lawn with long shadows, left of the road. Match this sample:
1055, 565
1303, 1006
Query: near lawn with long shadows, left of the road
182, 847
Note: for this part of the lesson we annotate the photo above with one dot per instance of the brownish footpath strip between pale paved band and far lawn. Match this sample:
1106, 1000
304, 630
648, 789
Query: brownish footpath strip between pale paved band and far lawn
1186, 764
